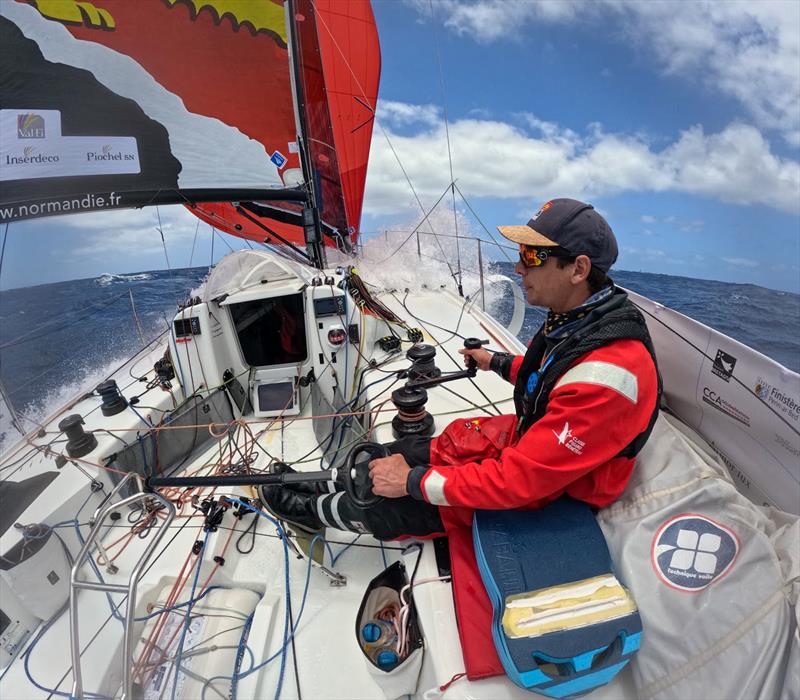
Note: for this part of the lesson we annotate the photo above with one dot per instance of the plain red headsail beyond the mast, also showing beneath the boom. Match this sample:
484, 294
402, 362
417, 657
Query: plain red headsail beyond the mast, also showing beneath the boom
339, 63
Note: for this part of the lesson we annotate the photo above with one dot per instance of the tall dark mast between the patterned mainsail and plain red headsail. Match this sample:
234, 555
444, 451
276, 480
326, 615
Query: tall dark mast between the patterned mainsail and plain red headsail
312, 230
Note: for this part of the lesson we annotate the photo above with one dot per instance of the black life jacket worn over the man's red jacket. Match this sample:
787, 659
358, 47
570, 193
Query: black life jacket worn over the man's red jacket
615, 319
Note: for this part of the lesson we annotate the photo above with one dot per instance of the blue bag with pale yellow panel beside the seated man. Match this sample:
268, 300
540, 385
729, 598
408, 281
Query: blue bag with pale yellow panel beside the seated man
562, 623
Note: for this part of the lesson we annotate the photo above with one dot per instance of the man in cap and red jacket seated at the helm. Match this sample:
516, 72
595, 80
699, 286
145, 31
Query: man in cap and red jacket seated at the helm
586, 395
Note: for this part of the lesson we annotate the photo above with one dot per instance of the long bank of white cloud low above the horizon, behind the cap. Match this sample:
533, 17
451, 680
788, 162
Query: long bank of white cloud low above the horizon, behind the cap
497, 159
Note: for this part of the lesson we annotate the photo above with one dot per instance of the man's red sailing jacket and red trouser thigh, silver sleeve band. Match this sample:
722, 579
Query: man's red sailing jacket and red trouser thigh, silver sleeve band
597, 407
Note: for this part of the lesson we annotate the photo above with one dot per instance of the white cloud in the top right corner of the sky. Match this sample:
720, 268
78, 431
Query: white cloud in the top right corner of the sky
749, 51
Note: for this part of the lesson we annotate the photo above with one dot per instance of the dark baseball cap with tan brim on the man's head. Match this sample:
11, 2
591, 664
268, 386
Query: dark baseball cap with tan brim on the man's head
572, 225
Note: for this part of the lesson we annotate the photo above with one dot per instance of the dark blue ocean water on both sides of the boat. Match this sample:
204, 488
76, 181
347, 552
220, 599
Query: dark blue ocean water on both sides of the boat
59, 339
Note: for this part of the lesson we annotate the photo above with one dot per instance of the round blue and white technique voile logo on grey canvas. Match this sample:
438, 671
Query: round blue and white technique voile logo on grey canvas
691, 551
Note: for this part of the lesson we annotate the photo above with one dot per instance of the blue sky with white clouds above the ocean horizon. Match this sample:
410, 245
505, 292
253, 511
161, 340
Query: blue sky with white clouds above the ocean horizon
678, 121
